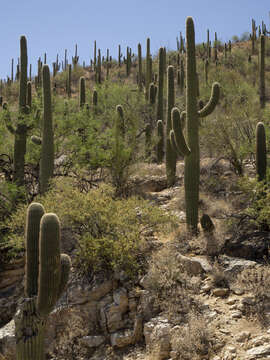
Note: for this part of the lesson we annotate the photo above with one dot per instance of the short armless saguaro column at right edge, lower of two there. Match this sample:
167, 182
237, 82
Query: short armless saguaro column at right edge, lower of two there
261, 162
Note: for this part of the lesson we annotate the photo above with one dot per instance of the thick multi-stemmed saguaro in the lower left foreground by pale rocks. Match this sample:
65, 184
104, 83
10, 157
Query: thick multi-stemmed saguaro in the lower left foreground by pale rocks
46, 277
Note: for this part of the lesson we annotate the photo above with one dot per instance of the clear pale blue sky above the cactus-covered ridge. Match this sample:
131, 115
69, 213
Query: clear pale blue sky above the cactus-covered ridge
52, 26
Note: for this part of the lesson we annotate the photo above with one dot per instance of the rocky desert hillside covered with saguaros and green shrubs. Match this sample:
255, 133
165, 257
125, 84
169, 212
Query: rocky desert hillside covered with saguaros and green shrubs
135, 202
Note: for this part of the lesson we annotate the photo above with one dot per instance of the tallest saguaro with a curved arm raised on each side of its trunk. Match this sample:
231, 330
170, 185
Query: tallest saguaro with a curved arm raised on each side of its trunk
190, 148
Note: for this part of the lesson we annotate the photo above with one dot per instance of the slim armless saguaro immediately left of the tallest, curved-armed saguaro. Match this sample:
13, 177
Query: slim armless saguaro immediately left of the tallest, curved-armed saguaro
170, 153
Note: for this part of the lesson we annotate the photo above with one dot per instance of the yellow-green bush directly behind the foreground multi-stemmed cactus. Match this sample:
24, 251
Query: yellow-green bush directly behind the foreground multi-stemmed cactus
109, 231
